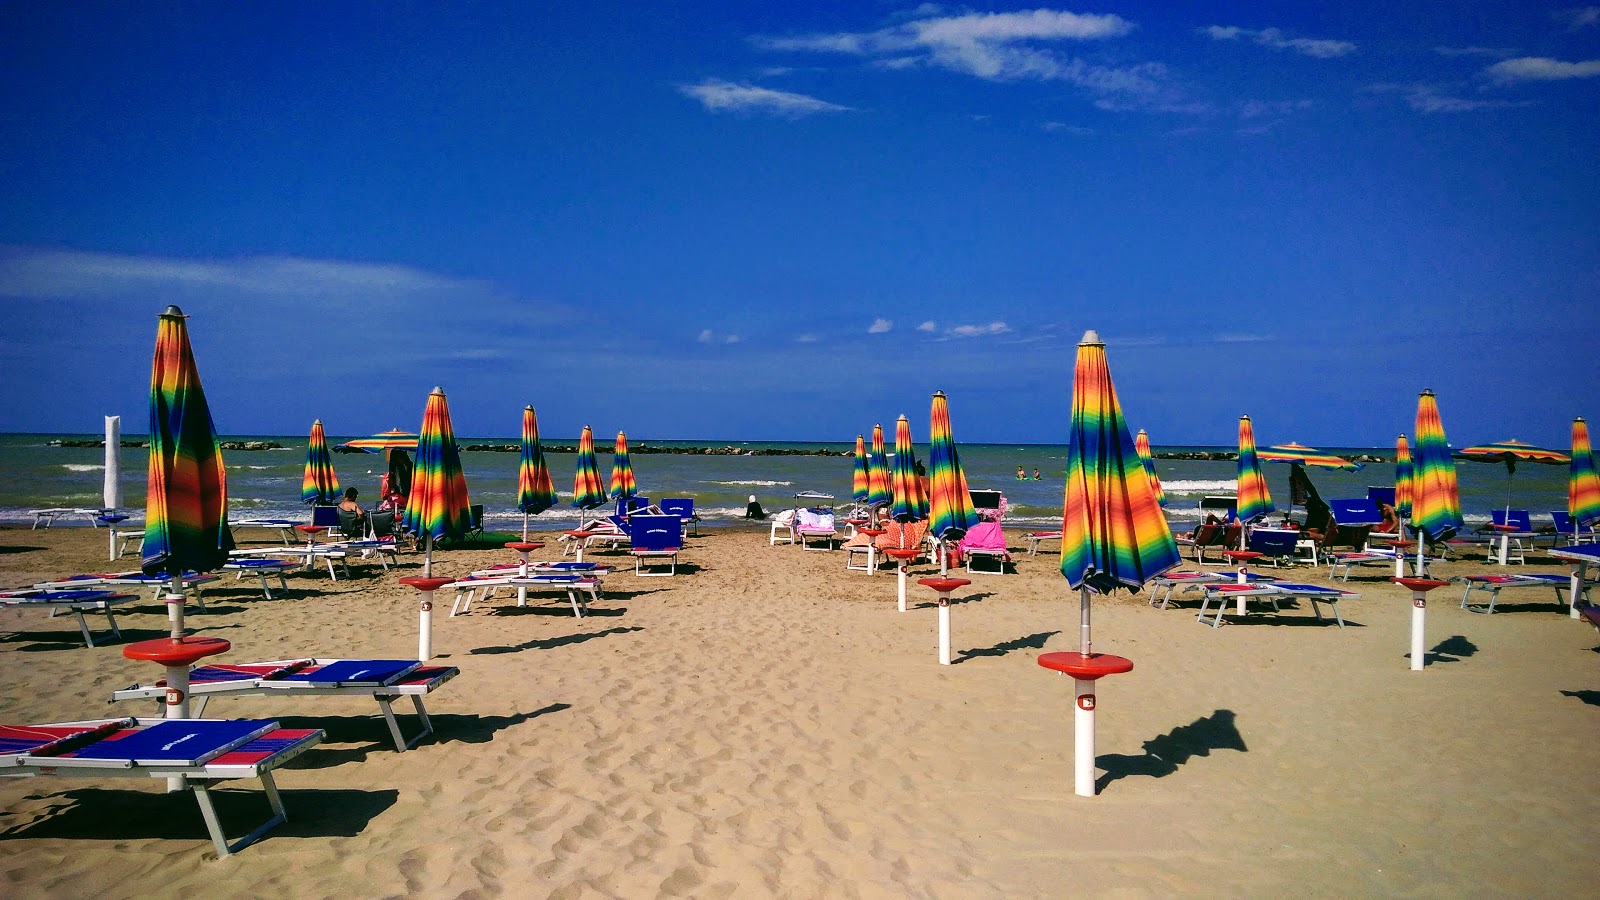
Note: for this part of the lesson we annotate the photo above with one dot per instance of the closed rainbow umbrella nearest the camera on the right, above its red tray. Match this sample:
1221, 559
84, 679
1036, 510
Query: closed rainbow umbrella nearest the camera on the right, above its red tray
1113, 531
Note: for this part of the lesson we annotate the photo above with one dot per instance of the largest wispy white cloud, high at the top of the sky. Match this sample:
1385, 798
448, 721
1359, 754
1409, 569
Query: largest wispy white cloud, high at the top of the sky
994, 47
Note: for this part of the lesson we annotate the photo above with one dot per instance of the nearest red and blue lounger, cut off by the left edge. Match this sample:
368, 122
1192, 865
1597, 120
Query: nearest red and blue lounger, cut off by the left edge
212, 750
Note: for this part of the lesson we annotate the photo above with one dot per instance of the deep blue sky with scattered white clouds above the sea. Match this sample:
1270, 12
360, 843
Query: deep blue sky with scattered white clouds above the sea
746, 222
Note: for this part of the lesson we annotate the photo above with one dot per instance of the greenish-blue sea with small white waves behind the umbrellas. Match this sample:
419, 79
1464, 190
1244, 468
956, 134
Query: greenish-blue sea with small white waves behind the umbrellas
266, 483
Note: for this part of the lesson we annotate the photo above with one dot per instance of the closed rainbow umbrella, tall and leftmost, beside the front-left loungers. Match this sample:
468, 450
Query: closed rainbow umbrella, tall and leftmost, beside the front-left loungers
186, 502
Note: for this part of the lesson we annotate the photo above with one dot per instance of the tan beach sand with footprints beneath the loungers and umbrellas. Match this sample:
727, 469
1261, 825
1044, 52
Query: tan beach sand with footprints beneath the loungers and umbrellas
767, 725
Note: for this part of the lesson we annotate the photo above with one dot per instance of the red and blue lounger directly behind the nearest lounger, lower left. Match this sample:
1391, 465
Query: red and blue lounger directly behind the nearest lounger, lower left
382, 680
